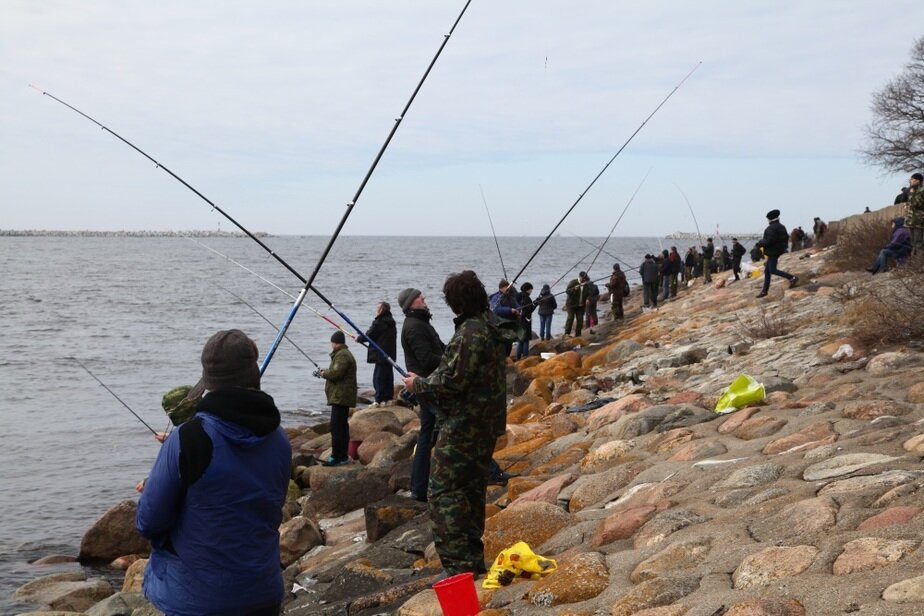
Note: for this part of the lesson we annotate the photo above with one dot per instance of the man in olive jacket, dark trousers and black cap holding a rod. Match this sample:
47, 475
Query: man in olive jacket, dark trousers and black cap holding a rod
341, 395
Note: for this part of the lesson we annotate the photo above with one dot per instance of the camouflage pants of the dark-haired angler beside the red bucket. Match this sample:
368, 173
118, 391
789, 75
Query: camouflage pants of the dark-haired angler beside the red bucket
458, 480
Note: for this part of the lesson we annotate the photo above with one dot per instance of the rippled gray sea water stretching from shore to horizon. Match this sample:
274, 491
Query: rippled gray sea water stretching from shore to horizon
136, 312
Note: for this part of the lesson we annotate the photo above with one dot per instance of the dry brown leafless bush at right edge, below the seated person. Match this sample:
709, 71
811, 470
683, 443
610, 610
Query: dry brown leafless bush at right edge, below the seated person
892, 312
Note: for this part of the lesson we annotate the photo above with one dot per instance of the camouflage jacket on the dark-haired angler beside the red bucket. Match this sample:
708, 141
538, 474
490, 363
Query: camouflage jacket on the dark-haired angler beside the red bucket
470, 385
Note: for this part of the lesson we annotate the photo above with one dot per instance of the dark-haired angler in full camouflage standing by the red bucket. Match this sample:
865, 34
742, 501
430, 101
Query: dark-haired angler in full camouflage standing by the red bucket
469, 390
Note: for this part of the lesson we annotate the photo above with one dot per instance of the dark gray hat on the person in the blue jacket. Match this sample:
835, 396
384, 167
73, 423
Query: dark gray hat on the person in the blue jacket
229, 359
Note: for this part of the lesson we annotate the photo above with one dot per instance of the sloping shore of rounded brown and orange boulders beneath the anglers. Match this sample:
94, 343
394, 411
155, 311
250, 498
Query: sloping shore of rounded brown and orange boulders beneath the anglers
651, 503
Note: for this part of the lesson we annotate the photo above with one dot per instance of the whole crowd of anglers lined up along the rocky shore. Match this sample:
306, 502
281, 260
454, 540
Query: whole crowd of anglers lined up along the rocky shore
215, 492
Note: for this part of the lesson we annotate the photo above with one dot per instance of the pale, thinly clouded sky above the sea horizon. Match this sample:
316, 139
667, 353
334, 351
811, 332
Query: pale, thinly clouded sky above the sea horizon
276, 110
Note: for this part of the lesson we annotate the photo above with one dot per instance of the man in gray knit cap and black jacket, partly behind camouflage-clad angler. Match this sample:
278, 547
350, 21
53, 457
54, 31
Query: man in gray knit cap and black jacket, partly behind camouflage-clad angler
422, 352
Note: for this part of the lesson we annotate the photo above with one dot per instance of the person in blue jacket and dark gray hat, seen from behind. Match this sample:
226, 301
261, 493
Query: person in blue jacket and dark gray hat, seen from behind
212, 504
